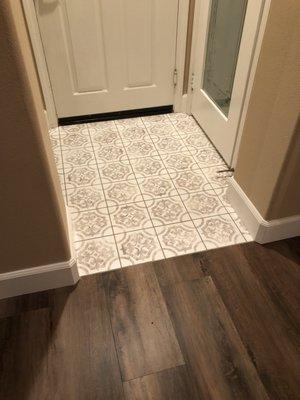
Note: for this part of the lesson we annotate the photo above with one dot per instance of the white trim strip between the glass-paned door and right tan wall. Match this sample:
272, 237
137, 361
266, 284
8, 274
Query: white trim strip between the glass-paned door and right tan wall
254, 62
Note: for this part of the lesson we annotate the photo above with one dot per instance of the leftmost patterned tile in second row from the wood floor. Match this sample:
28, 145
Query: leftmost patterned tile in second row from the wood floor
91, 224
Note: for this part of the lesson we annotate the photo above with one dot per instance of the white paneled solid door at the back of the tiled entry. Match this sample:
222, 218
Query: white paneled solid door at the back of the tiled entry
108, 55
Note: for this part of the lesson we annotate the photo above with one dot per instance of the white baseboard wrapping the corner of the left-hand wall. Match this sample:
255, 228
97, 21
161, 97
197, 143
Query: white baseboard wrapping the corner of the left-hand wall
44, 277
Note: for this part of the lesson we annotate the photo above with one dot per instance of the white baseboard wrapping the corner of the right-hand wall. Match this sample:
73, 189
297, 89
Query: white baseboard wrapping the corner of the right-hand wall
261, 230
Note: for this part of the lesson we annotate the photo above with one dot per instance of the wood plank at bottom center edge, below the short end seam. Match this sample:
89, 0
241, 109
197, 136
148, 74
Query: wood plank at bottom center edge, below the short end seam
171, 384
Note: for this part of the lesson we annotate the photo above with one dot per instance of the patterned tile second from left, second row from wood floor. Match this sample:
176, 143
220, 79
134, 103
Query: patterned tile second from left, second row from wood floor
129, 217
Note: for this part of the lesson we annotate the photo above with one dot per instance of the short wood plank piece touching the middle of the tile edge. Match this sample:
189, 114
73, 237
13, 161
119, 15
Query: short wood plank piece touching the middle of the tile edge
178, 269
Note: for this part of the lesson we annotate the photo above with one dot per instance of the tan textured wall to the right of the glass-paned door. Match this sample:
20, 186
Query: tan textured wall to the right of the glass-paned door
271, 134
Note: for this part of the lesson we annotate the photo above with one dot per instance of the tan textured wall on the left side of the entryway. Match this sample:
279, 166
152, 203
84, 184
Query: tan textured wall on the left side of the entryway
33, 229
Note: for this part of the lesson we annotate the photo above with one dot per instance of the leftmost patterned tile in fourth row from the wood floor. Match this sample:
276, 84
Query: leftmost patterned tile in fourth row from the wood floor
82, 176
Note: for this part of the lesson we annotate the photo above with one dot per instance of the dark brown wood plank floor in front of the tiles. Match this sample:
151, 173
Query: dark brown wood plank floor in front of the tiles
217, 325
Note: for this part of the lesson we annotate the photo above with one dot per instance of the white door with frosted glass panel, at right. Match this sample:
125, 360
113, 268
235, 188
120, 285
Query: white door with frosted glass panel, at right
224, 40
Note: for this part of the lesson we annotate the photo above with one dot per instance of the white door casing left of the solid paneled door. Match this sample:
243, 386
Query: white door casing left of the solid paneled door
38, 51
